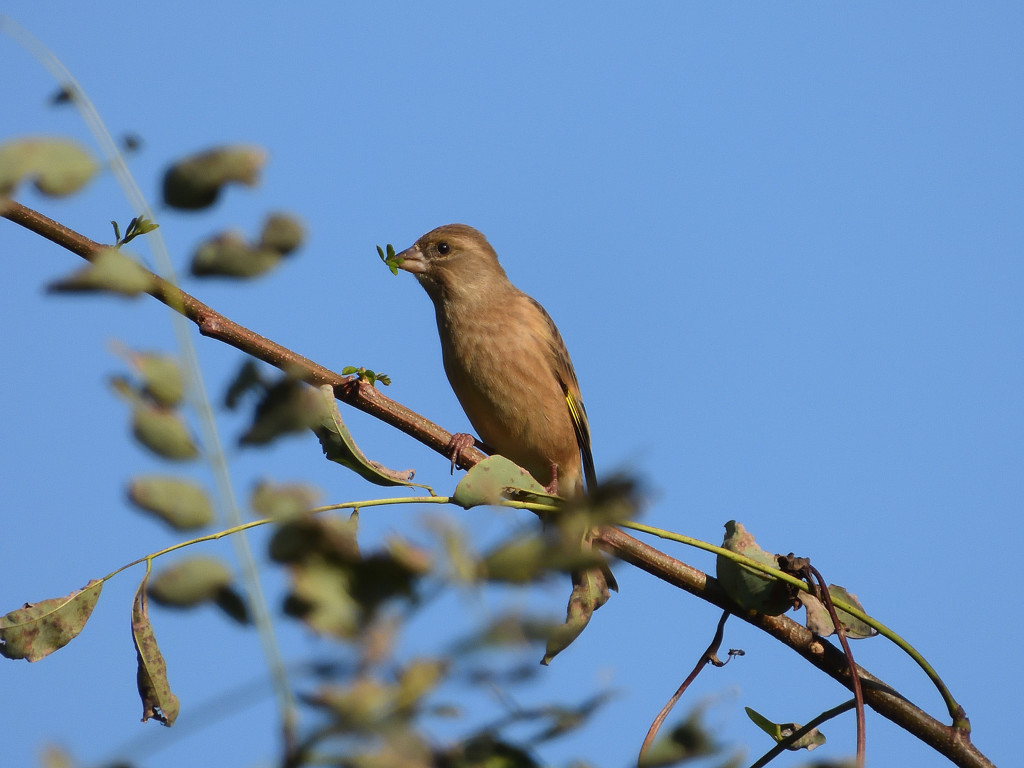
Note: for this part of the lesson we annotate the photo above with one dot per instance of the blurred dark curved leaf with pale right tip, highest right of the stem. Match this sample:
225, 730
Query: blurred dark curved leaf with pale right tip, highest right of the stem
195, 183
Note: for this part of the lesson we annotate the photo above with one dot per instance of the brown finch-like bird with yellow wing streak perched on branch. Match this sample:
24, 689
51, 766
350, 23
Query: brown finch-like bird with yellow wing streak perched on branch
508, 367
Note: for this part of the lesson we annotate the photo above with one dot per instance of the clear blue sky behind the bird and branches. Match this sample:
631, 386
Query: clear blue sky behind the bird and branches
783, 242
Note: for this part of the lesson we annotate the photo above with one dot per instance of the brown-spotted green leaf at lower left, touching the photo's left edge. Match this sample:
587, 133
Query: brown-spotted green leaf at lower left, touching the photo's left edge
37, 630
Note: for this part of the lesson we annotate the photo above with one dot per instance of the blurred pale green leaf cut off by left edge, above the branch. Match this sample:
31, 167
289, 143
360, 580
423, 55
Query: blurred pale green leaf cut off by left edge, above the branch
58, 167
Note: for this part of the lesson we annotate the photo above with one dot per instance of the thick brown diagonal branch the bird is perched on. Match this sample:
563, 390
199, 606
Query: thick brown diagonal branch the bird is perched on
952, 743
